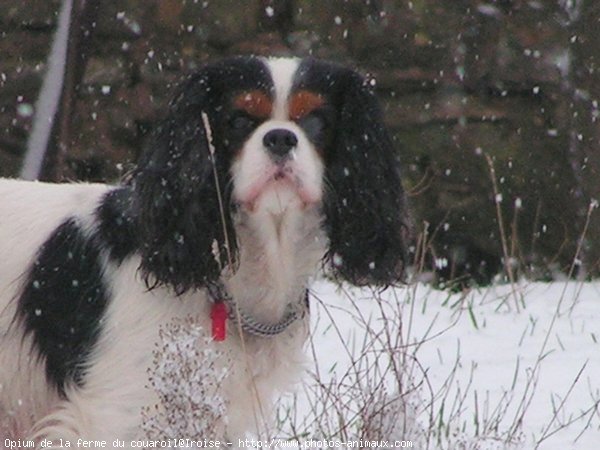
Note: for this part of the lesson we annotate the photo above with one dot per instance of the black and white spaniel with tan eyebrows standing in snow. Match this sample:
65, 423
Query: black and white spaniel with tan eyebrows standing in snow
262, 173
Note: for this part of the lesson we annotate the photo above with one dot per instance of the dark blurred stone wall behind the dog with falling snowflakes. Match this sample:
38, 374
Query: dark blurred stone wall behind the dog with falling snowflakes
493, 106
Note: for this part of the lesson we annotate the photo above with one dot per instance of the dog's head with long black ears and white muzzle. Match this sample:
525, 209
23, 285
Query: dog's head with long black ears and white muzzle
286, 133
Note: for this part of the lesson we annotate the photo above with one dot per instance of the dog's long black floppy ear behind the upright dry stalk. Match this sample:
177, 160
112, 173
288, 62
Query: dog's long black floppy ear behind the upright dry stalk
180, 225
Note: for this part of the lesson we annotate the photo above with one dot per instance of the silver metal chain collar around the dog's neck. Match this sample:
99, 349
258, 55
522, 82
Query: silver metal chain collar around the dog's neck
249, 324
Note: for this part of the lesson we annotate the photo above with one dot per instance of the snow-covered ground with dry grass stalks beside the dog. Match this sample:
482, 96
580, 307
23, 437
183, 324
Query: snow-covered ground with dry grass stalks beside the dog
497, 368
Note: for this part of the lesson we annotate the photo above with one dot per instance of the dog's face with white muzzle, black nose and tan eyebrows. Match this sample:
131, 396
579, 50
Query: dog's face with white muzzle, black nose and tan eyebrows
276, 134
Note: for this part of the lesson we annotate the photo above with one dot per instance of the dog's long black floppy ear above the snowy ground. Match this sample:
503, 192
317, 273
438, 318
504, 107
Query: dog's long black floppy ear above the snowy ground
365, 209
